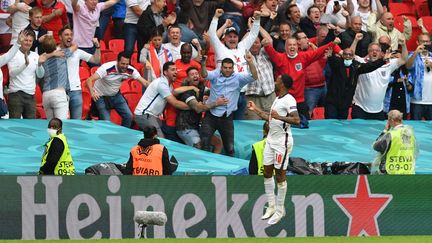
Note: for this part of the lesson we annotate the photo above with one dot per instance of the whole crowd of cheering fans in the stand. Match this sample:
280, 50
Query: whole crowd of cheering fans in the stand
347, 58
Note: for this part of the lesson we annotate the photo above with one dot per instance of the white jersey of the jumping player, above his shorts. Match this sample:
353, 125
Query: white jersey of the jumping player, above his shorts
280, 132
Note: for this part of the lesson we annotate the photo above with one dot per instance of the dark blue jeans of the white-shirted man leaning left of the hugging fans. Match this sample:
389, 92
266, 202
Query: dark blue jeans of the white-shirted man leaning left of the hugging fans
119, 104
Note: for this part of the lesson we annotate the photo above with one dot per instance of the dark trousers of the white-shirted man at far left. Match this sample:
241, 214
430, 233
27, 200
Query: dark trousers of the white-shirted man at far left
21, 104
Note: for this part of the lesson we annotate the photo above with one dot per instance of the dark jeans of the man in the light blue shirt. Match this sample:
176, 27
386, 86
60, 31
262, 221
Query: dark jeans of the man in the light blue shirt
224, 125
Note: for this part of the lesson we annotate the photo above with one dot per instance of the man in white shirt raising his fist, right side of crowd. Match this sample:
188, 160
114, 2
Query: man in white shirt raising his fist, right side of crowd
371, 88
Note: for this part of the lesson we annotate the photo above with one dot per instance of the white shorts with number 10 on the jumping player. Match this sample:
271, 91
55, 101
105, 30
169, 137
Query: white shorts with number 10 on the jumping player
277, 155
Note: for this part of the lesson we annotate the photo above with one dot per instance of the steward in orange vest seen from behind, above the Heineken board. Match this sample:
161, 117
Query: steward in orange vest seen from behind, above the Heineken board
149, 157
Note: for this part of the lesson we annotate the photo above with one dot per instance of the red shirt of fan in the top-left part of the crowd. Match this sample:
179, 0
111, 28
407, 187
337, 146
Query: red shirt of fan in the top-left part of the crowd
57, 23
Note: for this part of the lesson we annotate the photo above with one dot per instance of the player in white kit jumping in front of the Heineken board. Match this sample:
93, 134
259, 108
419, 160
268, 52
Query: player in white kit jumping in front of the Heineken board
278, 146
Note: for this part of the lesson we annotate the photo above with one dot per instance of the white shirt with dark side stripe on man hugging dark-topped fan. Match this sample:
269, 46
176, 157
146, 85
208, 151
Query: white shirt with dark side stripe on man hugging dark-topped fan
153, 100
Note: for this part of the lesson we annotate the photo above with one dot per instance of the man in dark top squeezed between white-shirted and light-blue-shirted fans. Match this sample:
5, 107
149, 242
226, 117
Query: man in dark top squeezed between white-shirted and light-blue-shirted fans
188, 121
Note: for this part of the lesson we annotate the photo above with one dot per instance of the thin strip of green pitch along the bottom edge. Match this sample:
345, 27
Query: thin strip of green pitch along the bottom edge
389, 239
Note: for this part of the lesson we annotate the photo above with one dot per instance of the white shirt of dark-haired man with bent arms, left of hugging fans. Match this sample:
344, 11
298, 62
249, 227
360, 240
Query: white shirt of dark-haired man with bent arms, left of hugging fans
111, 80
